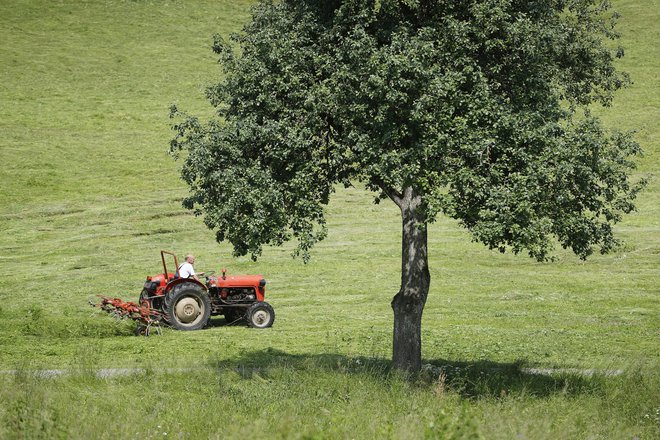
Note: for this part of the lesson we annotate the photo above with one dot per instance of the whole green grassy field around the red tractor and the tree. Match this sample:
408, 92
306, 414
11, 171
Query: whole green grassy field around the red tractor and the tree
89, 196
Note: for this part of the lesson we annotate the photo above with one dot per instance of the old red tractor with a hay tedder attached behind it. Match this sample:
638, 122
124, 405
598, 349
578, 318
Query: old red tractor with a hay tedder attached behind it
188, 304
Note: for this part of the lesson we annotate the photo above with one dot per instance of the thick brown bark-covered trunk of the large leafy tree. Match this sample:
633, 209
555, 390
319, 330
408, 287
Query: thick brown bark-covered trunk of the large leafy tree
408, 304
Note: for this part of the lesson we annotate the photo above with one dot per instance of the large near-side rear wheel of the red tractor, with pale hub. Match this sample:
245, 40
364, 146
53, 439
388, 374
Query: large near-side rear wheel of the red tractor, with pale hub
187, 307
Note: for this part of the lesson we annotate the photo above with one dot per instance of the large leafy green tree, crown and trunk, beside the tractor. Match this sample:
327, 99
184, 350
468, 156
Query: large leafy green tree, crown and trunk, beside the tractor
478, 110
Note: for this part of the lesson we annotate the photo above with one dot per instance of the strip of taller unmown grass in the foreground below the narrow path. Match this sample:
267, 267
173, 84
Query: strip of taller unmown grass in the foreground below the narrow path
328, 397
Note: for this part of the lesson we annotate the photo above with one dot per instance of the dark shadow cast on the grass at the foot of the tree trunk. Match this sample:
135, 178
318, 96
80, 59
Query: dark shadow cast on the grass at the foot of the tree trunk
474, 380
